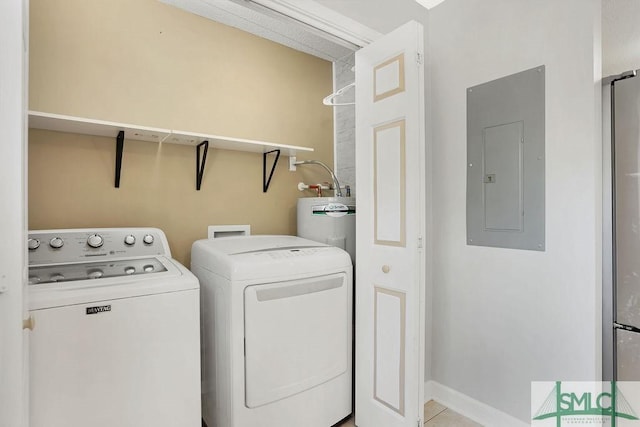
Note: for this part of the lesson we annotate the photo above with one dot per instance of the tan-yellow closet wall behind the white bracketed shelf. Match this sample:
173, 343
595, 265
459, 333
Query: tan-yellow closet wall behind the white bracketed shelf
147, 63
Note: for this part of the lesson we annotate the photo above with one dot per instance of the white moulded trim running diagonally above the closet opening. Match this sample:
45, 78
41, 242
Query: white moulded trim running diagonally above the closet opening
324, 19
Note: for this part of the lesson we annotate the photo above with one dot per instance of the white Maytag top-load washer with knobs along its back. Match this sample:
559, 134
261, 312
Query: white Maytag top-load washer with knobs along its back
115, 340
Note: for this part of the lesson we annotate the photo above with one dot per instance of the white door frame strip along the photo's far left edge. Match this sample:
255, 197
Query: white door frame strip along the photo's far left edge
12, 218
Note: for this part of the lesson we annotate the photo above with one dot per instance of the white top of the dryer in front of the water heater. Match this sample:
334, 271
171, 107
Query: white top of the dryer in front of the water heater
266, 257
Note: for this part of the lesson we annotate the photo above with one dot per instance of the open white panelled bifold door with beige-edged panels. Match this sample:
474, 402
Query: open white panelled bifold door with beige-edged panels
390, 178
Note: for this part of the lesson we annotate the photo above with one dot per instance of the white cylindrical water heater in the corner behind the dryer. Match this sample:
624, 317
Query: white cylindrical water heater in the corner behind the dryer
330, 220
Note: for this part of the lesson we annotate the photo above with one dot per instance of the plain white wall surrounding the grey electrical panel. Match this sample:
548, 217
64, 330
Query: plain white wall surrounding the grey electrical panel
503, 318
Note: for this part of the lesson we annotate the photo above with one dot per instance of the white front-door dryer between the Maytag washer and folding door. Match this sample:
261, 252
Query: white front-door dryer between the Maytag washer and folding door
276, 331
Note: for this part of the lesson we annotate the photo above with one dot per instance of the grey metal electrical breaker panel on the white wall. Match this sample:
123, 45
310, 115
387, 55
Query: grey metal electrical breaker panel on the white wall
505, 162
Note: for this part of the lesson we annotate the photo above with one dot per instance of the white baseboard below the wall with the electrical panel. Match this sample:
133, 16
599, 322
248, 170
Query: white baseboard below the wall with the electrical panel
469, 407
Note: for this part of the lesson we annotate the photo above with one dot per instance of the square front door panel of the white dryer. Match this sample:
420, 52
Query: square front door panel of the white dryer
296, 336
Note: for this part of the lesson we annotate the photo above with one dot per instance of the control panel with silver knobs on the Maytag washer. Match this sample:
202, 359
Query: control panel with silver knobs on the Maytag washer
82, 245
